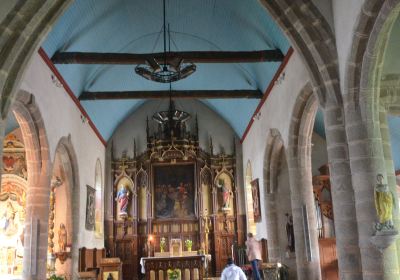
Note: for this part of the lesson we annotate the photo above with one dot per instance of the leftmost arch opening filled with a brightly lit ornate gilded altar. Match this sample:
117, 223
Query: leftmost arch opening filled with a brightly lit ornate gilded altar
12, 201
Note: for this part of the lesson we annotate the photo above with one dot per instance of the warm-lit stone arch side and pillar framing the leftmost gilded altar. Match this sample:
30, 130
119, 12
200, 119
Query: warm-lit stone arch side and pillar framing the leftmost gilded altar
33, 131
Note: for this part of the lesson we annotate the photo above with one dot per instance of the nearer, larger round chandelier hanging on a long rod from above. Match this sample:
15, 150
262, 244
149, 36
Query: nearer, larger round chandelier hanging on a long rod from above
171, 69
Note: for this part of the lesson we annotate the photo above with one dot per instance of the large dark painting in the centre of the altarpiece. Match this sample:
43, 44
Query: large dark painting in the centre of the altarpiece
174, 191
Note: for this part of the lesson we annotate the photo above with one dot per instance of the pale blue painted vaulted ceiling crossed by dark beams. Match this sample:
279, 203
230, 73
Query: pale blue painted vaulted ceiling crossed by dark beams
135, 26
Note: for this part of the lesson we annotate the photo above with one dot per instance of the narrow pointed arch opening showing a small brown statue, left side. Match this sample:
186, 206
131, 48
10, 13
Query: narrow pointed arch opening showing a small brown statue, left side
64, 212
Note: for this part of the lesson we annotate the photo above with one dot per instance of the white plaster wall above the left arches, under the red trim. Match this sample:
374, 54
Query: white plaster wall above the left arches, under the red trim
62, 118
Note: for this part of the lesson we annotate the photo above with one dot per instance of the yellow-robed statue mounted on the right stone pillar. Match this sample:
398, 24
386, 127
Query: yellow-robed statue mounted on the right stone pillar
384, 201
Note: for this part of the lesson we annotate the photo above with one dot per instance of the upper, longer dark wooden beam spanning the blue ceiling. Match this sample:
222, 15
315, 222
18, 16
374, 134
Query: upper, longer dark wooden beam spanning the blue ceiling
192, 56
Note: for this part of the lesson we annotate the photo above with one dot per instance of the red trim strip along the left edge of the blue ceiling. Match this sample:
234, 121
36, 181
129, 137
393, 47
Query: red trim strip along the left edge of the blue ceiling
50, 64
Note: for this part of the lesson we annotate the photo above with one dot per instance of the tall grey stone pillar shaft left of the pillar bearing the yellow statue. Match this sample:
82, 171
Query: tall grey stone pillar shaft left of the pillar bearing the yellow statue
349, 259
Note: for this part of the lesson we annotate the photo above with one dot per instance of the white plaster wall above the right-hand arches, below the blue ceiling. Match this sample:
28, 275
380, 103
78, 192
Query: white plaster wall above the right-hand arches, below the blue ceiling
275, 113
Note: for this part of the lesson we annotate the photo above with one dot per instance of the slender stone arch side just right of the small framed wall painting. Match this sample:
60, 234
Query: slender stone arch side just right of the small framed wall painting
272, 158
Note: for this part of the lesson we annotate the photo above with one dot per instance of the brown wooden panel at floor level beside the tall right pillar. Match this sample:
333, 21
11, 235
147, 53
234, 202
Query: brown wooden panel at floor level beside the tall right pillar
328, 259
